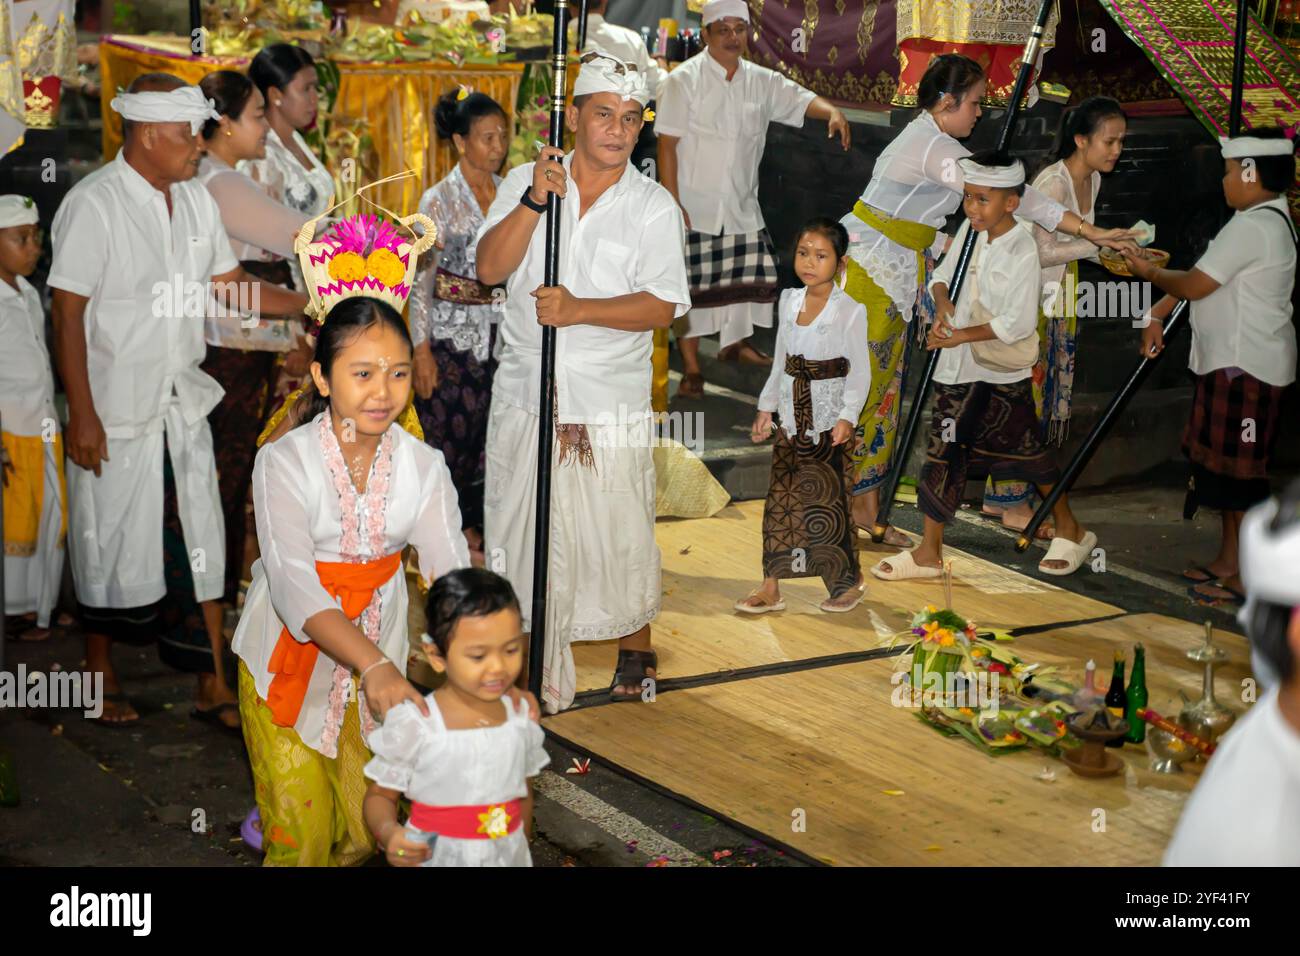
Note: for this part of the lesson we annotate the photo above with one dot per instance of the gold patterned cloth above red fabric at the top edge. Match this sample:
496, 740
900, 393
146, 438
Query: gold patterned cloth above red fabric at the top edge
974, 21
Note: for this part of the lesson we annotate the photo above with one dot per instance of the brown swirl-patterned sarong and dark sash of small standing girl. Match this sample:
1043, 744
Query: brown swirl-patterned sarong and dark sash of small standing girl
807, 526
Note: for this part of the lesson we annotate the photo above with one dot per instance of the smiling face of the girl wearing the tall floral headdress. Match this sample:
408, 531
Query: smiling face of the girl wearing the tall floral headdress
370, 383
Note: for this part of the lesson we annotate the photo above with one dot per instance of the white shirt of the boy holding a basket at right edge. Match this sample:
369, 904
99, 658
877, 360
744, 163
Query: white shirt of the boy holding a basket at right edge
1246, 323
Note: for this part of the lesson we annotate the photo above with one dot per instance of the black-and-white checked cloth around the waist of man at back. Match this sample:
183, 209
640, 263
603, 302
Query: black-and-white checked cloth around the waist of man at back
731, 269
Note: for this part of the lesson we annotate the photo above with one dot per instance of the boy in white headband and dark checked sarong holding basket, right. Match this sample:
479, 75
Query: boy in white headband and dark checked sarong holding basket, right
1243, 345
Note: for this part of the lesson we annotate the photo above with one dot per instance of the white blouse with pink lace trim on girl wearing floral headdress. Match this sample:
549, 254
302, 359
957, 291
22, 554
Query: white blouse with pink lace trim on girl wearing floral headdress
307, 511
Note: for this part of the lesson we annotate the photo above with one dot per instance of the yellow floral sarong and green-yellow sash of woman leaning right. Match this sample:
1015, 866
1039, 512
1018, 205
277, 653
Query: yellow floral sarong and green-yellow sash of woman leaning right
887, 340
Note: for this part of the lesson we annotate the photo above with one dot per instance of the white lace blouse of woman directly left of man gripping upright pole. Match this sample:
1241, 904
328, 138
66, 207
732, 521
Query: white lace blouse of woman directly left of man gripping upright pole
452, 205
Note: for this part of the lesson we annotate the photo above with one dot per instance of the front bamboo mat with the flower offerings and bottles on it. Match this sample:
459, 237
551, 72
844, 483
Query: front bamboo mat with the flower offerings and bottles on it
831, 745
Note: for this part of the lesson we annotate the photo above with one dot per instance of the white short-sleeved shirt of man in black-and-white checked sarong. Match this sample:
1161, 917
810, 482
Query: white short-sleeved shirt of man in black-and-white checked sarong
722, 127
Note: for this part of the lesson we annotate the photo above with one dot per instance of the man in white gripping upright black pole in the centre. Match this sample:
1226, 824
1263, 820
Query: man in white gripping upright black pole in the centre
622, 275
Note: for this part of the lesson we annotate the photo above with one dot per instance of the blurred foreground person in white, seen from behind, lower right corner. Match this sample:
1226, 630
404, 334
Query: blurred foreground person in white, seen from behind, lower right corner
1246, 808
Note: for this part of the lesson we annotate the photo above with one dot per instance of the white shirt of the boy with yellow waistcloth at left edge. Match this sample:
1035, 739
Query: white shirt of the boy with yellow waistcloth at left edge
27, 379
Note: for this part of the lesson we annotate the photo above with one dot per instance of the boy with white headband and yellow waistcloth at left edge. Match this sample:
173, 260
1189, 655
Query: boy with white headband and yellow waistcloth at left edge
33, 448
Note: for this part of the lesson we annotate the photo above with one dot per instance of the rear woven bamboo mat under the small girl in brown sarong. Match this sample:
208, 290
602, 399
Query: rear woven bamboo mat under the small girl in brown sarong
710, 563
